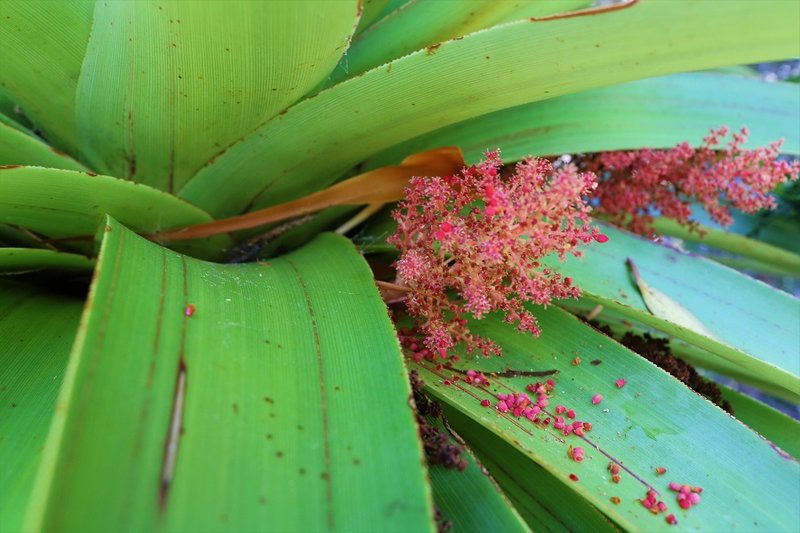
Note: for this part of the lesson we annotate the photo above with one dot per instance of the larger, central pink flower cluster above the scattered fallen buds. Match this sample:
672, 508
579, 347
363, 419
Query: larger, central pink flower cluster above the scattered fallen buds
480, 236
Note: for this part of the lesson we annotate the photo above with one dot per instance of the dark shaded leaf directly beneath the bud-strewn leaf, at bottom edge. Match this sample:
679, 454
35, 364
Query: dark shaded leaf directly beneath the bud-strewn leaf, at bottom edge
542, 499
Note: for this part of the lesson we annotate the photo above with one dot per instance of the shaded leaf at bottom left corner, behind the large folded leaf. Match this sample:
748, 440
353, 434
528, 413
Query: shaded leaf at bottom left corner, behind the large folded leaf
36, 332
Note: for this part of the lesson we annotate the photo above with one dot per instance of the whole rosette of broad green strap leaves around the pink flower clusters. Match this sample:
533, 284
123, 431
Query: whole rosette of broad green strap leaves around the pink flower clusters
153, 386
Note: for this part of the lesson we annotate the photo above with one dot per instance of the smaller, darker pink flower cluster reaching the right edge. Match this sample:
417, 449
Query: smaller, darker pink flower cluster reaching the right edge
636, 184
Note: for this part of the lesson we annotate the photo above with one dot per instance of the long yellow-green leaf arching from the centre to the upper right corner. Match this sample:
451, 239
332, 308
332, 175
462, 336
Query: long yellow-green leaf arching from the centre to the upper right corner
523, 61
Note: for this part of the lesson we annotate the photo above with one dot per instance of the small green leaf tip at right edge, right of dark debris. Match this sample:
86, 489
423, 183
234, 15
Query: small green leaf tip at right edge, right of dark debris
780, 429
